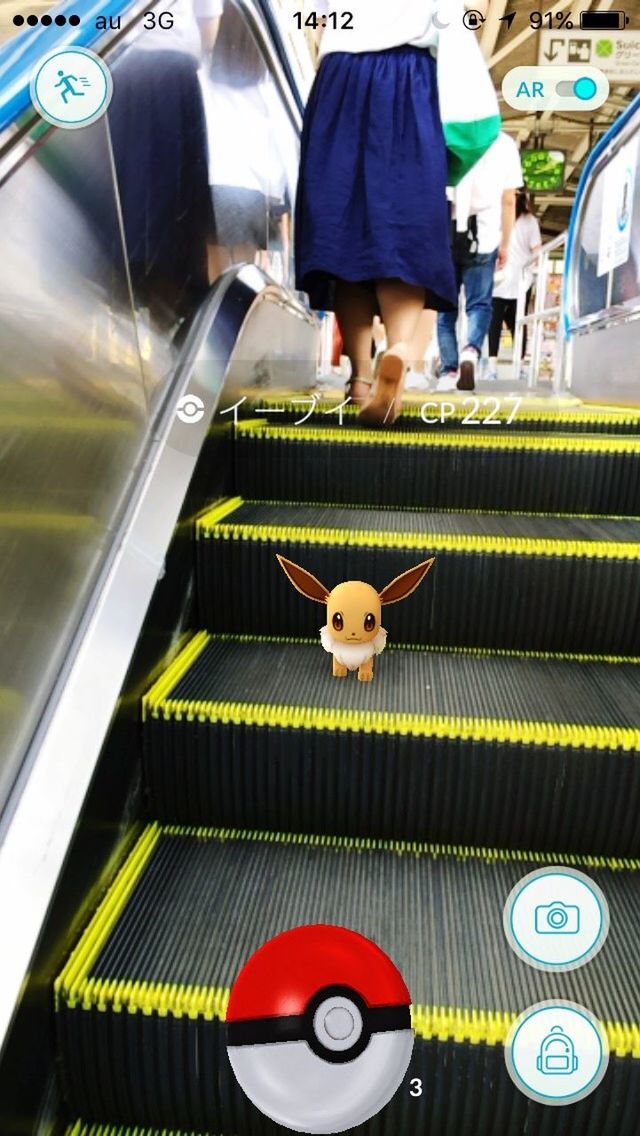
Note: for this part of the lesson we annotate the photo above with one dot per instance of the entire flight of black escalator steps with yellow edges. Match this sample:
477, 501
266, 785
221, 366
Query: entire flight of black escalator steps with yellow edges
400, 809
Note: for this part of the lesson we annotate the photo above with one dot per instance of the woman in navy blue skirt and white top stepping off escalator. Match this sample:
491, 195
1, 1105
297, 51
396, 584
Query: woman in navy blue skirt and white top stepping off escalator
372, 216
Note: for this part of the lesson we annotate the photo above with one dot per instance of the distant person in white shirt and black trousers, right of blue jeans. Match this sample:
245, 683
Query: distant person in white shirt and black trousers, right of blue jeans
525, 243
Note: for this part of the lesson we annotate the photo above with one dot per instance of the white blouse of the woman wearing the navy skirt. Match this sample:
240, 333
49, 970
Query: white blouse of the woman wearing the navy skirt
377, 26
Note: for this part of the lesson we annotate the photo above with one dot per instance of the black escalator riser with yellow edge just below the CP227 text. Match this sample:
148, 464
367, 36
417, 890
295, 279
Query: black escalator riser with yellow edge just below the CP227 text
535, 473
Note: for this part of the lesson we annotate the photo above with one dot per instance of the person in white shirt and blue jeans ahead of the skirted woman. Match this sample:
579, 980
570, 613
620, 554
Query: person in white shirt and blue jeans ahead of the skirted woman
487, 198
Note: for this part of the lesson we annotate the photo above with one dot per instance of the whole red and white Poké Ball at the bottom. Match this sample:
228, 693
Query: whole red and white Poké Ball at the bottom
319, 1030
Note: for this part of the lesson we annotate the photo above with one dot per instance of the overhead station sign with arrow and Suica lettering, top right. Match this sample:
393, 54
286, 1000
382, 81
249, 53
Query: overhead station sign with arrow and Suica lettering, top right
617, 54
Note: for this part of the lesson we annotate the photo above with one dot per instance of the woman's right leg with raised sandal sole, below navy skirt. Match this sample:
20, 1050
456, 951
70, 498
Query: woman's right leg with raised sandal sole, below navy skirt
402, 307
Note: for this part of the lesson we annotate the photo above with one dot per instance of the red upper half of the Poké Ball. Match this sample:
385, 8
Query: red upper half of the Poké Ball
288, 972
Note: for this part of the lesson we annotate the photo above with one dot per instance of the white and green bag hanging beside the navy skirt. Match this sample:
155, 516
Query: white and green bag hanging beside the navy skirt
469, 104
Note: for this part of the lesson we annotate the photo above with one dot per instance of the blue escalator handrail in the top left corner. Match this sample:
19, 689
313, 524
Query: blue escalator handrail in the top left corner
21, 55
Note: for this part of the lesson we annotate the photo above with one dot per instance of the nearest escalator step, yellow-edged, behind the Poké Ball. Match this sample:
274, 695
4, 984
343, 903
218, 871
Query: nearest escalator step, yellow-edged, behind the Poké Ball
143, 999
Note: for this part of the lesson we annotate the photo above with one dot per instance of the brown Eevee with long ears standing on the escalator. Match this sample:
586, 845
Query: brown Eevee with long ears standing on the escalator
354, 634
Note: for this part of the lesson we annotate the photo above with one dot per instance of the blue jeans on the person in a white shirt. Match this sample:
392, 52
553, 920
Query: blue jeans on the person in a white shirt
478, 280
